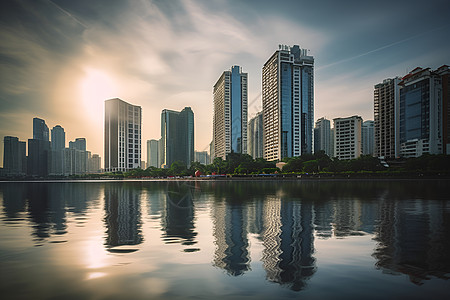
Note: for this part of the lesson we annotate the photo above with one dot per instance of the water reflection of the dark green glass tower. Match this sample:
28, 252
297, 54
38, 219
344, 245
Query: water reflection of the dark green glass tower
178, 218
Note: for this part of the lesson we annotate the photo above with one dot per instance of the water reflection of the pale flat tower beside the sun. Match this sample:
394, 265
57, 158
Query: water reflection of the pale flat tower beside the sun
122, 217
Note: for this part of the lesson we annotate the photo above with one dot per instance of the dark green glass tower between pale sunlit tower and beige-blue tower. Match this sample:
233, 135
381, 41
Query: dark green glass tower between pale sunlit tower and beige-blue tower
177, 137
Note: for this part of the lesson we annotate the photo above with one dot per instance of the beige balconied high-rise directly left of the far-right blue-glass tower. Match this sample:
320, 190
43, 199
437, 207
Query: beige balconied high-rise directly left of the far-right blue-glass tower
387, 115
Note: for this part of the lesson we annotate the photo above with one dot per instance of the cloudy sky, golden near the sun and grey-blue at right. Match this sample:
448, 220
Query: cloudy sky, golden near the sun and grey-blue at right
61, 59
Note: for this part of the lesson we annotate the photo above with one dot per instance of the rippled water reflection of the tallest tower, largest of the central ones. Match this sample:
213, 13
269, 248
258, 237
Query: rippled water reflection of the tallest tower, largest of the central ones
288, 241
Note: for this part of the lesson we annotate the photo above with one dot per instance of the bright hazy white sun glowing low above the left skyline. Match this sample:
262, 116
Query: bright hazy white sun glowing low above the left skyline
96, 87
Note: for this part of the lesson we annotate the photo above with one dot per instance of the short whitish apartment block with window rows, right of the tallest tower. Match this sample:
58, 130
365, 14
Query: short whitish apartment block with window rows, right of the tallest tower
347, 137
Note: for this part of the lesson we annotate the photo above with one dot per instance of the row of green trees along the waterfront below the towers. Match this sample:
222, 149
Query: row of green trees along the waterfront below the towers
318, 163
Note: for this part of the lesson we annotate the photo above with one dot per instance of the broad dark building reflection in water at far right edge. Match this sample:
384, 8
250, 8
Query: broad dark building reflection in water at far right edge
413, 239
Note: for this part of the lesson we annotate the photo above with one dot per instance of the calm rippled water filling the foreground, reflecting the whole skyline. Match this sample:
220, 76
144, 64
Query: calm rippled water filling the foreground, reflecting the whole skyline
225, 240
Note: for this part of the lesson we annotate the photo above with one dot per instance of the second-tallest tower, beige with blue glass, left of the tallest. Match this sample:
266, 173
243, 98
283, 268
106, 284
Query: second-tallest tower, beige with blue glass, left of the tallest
230, 113
